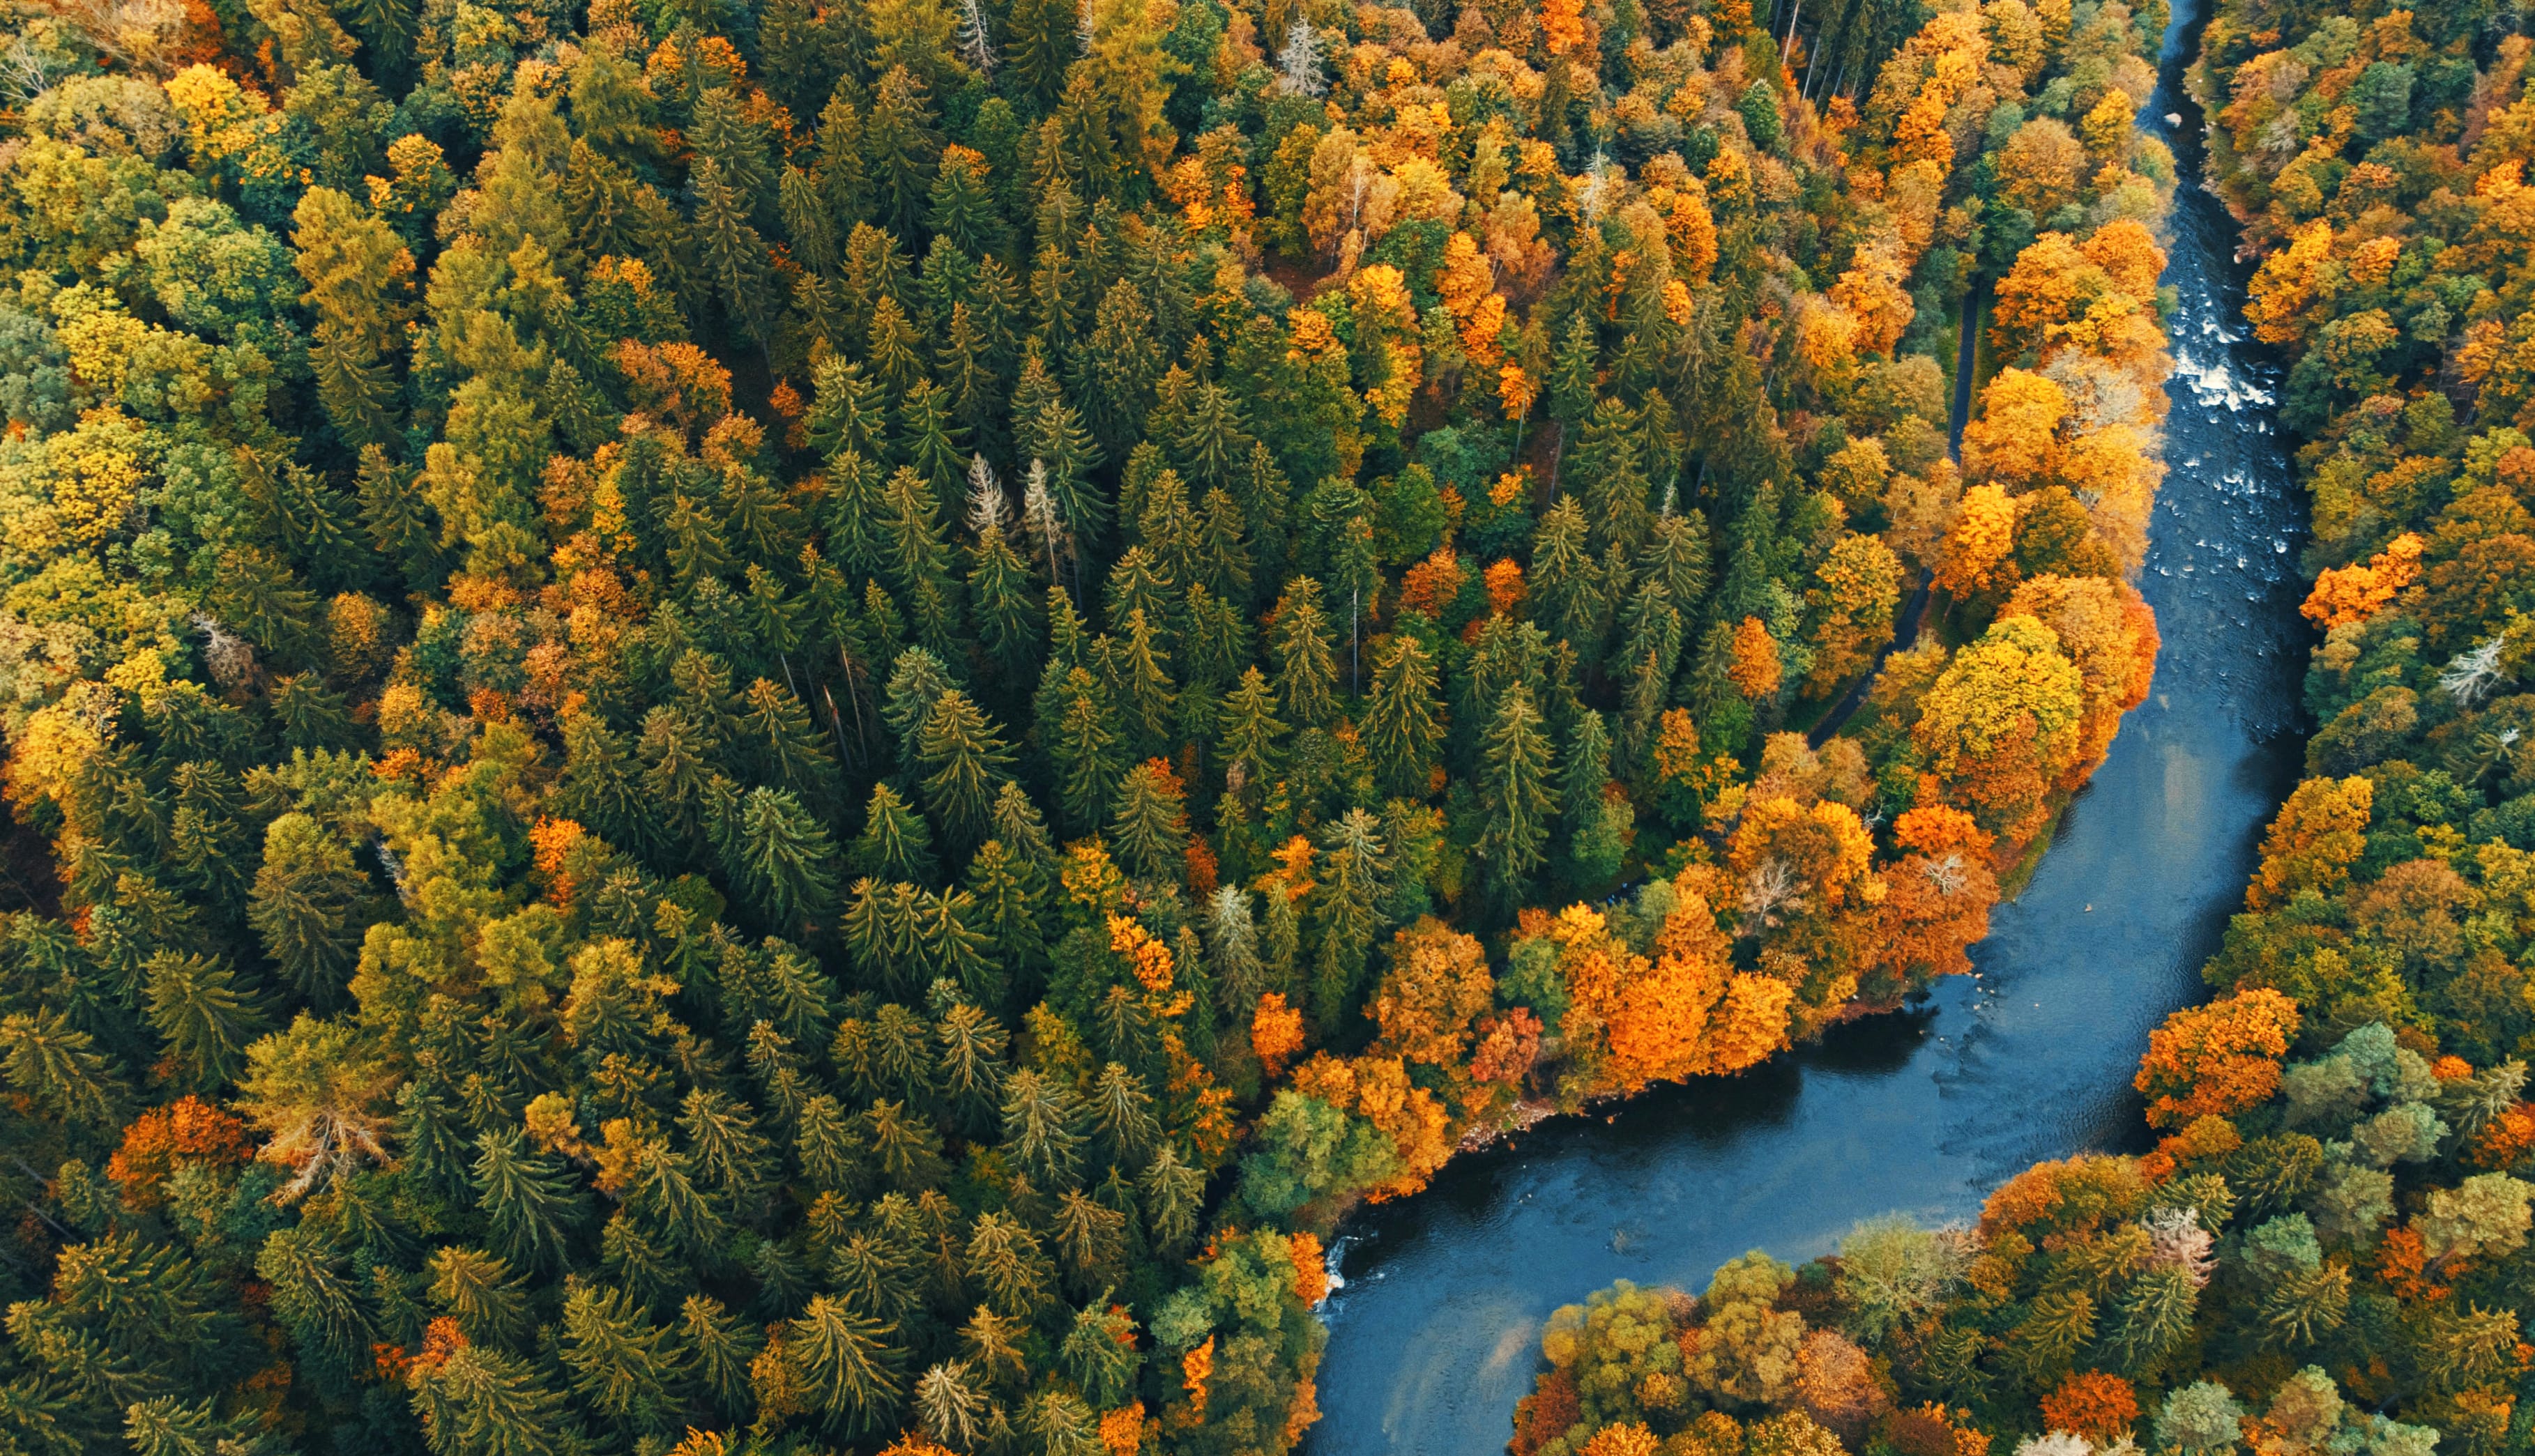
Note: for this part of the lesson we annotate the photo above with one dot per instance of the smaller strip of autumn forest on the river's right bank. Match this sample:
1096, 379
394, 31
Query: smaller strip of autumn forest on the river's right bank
2326, 1247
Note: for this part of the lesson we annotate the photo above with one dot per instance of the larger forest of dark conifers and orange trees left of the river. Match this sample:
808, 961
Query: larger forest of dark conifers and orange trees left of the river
802, 728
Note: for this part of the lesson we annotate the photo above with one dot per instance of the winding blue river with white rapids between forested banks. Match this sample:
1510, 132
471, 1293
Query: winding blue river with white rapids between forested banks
1436, 1323
